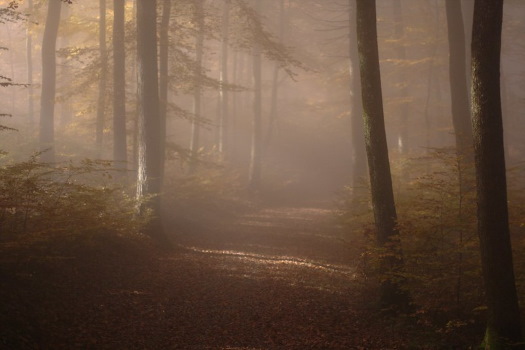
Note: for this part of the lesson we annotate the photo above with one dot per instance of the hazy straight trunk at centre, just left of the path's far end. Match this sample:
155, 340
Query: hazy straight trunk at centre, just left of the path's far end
255, 159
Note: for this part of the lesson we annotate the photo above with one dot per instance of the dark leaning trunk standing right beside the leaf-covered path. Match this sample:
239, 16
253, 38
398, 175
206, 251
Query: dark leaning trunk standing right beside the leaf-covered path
391, 293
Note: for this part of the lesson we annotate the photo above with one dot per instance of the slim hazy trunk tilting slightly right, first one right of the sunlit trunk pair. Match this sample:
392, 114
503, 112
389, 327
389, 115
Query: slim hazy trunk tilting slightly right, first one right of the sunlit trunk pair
197, 91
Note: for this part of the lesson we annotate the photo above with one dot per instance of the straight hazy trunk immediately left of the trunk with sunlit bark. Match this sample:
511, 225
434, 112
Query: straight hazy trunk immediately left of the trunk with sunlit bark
119, 85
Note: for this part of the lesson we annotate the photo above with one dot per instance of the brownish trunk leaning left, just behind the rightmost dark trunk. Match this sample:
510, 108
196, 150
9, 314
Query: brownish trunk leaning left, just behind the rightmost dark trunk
459, 94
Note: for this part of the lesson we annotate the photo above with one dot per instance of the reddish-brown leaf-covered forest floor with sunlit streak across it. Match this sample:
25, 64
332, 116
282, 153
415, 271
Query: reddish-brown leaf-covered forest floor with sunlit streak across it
267, 278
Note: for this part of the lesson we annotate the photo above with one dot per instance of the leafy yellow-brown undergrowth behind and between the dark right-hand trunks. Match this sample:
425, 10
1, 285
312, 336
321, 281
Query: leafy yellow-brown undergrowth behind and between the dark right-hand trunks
440, 246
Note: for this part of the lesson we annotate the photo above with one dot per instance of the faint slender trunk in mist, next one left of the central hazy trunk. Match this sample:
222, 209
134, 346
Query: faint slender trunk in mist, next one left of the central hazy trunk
223, 92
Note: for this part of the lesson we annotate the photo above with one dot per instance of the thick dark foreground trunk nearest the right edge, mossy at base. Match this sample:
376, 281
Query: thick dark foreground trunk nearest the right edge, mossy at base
503, 316
